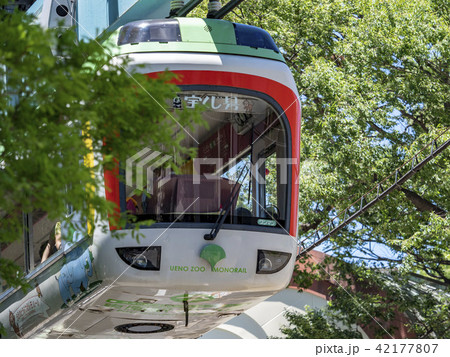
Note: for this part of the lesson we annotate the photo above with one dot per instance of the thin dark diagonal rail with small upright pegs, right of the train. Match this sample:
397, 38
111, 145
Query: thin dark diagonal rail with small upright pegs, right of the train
435, 150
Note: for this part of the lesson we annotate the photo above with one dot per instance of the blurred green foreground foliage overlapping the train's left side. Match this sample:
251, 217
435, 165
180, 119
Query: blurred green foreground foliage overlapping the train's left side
62, 100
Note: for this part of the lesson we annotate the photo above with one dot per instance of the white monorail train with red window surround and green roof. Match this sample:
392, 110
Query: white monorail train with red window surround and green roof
225, 229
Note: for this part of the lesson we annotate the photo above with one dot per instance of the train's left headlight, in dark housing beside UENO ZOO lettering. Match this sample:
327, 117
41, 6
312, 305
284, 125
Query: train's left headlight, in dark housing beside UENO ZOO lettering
142, 258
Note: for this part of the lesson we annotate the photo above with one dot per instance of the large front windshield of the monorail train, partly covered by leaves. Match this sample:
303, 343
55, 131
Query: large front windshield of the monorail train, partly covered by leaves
240, 165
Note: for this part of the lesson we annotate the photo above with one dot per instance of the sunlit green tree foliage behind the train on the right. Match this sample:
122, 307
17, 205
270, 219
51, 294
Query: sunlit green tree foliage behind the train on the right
373, 78
